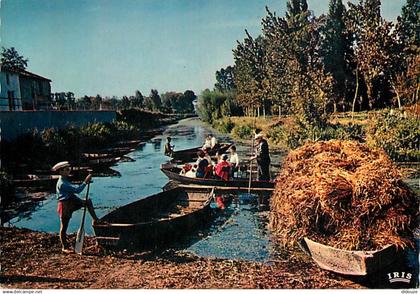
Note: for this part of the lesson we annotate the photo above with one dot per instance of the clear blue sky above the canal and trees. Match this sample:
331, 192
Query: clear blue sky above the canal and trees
114, 47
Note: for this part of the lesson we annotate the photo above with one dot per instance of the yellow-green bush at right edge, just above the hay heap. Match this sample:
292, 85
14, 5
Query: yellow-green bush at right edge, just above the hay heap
398, 136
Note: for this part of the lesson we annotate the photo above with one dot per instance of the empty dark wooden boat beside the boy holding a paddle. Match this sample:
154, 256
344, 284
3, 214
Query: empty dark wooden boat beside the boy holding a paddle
157, 220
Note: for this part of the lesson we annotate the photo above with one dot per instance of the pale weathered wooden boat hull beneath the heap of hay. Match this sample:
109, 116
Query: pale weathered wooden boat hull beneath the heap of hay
346, 262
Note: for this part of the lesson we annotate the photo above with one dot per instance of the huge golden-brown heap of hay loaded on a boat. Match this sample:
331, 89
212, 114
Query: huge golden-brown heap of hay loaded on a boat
342, 194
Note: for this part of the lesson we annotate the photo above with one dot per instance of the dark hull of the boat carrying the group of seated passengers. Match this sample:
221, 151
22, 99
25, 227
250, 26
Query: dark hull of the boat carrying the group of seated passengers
173, 173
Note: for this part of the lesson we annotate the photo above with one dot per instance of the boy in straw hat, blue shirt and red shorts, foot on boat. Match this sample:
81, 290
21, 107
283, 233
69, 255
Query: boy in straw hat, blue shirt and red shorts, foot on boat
68, 202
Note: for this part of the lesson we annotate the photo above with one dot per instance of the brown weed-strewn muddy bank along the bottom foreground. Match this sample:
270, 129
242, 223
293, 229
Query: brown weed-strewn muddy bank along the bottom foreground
33, 260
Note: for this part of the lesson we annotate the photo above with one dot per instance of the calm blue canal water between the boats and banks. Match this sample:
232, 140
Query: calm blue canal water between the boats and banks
237, 232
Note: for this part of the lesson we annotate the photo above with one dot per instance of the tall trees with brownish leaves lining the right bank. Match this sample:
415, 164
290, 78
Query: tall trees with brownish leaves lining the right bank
348, 60
